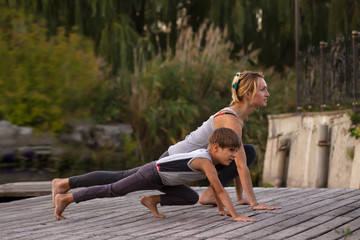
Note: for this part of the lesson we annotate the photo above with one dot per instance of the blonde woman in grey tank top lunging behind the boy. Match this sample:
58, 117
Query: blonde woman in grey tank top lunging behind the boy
249, 91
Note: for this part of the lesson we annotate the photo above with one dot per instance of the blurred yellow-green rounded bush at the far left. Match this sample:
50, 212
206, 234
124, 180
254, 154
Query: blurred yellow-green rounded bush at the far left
44, 81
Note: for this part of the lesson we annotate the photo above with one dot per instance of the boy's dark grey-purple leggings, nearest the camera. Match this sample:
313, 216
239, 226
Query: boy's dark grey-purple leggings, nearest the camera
146, 178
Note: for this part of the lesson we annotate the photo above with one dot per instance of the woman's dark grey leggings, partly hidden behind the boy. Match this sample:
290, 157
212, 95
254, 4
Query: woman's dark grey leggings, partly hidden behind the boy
226, 173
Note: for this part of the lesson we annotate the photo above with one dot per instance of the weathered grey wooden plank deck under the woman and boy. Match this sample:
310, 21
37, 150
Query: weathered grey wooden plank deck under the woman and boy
305, 214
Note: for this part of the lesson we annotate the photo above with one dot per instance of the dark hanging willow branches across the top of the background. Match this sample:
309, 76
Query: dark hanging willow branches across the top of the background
117, 26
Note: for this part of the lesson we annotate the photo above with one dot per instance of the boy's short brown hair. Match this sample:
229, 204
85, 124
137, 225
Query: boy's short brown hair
225, 137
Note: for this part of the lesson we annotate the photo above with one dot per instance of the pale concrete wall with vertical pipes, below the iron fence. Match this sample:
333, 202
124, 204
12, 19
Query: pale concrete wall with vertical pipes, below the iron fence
312, 150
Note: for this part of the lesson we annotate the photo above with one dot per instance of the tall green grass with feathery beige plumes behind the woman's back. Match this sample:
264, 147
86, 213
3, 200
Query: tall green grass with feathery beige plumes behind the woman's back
169, 98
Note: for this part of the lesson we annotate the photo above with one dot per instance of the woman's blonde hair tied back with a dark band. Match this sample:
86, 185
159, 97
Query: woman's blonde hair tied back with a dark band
243, 83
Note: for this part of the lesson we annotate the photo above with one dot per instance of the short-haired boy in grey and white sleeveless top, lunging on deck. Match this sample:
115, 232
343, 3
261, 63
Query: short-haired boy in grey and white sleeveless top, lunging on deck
168, 175
